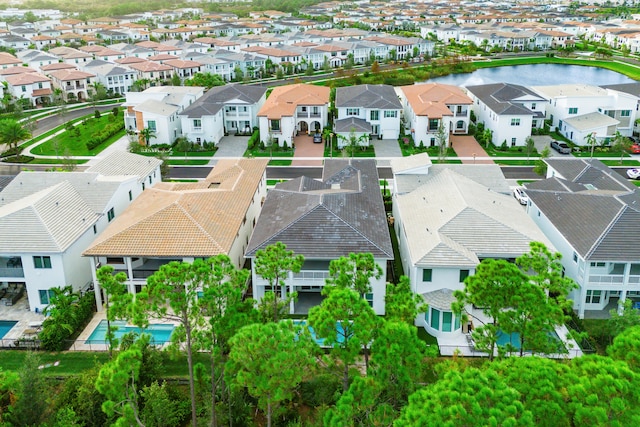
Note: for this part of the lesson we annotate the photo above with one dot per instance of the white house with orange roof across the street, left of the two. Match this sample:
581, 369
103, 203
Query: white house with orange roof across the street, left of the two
292, 109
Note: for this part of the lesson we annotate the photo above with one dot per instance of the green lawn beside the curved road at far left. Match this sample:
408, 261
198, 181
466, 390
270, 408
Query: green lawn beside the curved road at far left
76, 145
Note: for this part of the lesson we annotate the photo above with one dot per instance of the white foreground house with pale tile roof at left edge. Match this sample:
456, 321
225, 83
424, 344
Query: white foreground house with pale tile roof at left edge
48, 218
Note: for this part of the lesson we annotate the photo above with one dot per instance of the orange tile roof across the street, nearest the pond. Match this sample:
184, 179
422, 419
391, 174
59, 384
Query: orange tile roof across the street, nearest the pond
432, 99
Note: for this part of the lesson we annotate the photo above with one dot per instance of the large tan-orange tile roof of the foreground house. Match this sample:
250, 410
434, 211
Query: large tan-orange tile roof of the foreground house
185, 219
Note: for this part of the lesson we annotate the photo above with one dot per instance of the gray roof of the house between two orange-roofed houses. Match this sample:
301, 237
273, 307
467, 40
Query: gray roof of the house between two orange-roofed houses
368, 96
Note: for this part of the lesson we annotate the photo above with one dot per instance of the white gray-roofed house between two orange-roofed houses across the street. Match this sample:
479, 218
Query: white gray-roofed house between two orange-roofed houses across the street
370, 110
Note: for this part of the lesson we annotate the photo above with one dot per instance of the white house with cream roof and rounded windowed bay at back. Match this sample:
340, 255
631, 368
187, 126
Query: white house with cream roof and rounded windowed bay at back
448, 218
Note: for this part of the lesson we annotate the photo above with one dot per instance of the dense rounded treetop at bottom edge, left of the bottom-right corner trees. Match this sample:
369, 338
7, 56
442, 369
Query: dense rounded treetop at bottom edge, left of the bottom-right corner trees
472, 397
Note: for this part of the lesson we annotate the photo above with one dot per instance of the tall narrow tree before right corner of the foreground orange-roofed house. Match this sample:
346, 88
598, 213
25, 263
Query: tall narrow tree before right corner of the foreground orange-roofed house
222, 301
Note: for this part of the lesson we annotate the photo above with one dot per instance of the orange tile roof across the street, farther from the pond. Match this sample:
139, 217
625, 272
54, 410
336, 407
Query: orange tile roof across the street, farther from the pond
284, 100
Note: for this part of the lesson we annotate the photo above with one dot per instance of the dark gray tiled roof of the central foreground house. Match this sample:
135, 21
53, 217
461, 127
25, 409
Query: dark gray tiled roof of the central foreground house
326, 220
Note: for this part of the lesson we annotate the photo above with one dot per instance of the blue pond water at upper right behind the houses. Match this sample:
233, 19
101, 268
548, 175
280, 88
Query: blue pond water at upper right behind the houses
536, 75
